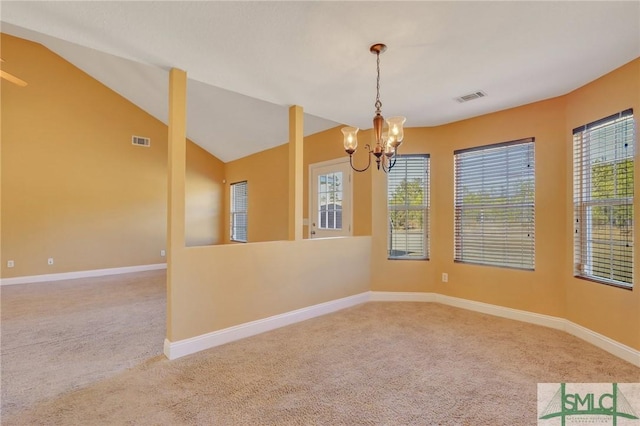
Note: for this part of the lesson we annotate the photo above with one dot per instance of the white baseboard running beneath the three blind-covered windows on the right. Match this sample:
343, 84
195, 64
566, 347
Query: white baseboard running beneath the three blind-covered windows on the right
603, 342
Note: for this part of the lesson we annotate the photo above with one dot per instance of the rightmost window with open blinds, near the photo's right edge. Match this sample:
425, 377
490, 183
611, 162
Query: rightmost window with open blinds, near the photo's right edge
603, 153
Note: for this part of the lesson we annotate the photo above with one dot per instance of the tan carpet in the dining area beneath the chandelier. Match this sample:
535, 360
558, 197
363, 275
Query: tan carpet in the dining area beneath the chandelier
374, 364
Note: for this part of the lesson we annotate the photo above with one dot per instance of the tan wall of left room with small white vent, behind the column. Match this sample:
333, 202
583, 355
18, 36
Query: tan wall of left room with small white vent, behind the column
74, 187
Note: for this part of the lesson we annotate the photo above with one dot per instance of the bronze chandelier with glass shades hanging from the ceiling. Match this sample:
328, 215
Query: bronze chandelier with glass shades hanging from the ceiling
387, 140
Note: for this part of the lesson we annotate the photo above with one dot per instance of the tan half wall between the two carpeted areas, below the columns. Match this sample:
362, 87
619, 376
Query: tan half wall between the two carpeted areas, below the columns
223, 286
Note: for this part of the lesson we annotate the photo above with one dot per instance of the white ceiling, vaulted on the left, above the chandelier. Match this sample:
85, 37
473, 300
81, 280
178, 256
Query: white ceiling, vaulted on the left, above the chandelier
247, 62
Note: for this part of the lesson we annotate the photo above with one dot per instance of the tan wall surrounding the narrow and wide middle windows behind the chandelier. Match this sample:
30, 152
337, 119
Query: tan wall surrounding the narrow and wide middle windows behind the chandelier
537, 291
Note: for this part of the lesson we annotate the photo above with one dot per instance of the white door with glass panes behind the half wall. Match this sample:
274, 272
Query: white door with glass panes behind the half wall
330, 200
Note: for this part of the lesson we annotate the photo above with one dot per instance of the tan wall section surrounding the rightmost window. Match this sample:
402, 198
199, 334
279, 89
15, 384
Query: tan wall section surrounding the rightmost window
611, 311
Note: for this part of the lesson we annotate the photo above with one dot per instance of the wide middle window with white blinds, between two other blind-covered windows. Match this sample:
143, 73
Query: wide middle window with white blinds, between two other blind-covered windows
494, 205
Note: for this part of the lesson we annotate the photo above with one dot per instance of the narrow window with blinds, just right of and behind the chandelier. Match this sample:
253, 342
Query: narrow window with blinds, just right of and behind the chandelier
408, 206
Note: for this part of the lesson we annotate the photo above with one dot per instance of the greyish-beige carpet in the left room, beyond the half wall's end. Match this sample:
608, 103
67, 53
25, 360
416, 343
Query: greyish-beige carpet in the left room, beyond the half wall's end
64, 335
